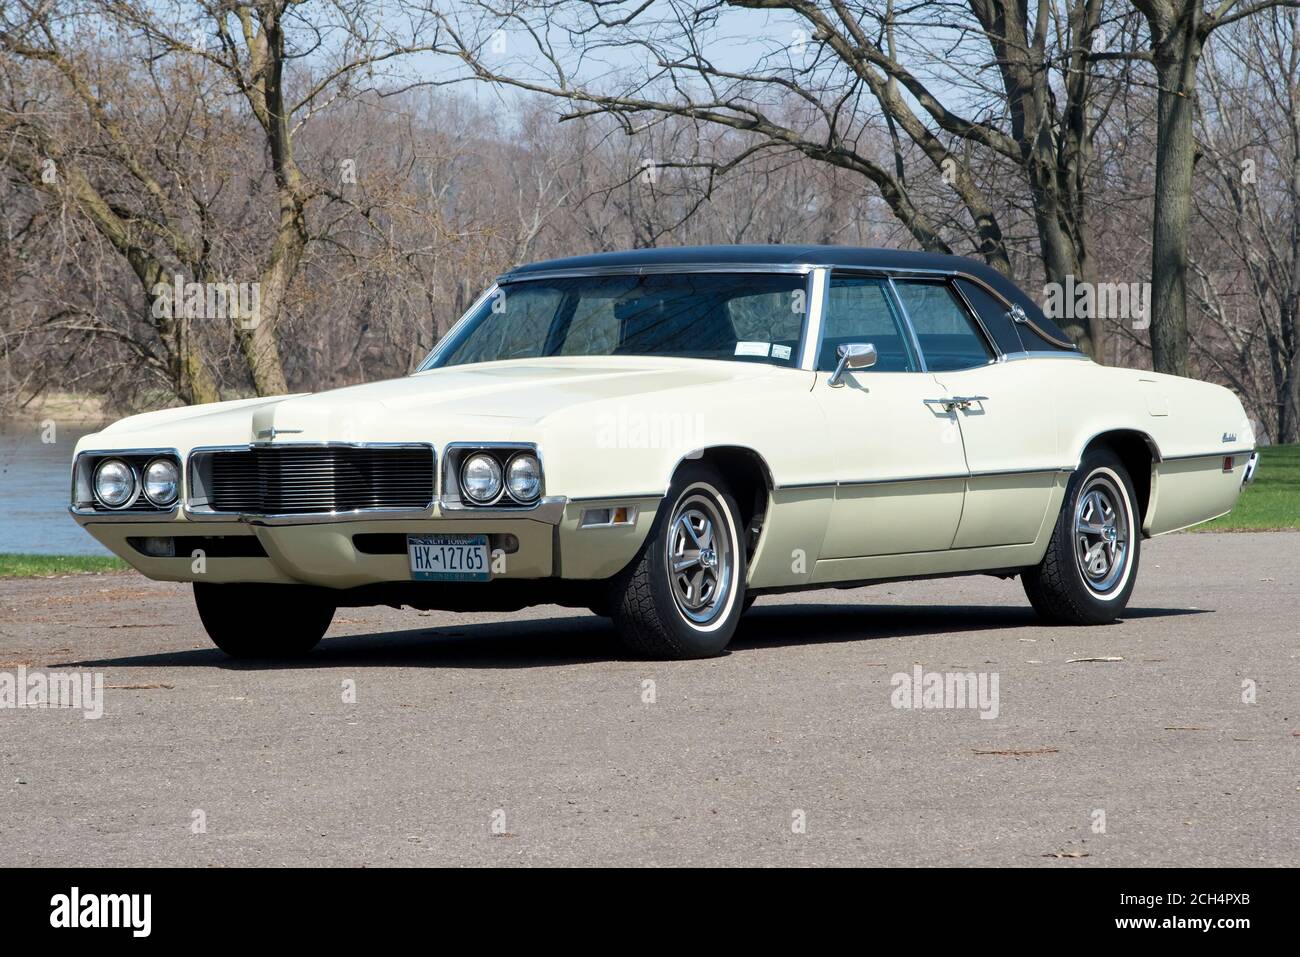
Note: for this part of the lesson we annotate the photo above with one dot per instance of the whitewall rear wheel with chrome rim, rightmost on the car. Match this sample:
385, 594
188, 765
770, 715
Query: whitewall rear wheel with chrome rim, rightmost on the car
1091, 565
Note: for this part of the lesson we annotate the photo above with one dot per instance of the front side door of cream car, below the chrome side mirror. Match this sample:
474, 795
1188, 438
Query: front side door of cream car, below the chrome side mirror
899, 464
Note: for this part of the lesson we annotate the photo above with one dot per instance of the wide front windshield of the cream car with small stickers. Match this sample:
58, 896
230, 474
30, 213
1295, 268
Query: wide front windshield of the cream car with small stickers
735, 317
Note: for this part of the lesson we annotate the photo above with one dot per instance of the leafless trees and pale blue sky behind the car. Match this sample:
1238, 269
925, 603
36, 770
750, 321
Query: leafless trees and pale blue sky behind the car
333, 154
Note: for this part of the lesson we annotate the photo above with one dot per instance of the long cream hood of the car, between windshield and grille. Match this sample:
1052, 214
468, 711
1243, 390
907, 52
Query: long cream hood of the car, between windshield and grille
502, 401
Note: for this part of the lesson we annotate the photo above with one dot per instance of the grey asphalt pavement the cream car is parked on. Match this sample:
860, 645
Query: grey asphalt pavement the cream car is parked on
1171, 738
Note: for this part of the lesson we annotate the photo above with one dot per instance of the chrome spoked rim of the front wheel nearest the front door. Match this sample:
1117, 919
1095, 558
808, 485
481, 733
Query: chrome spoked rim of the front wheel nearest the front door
700, 560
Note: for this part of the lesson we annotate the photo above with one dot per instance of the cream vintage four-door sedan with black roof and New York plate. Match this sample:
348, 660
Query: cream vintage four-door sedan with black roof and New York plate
661, 436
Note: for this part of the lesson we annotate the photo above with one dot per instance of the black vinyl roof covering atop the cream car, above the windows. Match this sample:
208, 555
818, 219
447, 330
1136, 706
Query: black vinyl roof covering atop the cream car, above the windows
860, 257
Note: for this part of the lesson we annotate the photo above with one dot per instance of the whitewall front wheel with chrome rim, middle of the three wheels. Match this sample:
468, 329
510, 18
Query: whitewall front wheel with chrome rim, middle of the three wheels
684, 592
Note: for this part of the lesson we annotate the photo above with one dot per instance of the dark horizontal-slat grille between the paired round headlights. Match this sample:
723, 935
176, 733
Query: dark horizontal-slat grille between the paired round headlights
291, 480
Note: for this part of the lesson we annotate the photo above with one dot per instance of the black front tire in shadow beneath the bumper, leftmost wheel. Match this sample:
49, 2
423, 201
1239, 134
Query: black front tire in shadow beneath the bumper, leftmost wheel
263, 621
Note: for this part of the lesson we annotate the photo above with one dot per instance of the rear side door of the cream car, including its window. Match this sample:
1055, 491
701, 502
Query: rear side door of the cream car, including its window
1007, 413
